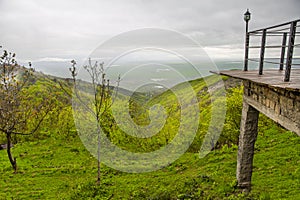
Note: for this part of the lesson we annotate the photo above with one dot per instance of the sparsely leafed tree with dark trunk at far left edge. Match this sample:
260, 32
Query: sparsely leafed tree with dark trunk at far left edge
18, 115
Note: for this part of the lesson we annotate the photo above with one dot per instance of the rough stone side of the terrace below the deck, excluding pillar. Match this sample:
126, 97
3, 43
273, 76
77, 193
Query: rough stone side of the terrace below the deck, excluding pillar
279, 104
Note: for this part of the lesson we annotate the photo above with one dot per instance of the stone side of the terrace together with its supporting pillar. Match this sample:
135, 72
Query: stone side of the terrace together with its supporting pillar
281, 105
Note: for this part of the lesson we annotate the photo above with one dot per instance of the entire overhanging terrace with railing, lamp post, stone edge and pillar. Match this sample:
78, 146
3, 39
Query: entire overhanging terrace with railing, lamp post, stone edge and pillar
275, 93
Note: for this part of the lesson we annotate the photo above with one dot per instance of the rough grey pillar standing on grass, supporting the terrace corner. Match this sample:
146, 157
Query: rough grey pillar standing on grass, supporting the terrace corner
248, 134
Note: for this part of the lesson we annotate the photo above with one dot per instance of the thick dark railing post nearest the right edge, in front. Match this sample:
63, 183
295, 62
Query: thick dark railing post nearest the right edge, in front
289, 57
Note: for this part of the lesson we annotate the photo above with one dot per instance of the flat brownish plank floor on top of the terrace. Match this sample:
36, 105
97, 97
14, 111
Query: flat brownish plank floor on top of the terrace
273, 78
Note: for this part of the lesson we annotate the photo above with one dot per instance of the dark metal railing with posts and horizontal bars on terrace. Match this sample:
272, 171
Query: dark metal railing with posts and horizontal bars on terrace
287, 32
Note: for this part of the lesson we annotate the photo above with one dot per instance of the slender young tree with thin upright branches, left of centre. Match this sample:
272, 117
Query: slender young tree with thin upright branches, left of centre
102, 98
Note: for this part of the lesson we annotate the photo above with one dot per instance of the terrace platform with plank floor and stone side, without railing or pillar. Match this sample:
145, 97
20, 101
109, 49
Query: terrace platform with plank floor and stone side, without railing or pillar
270, 95
